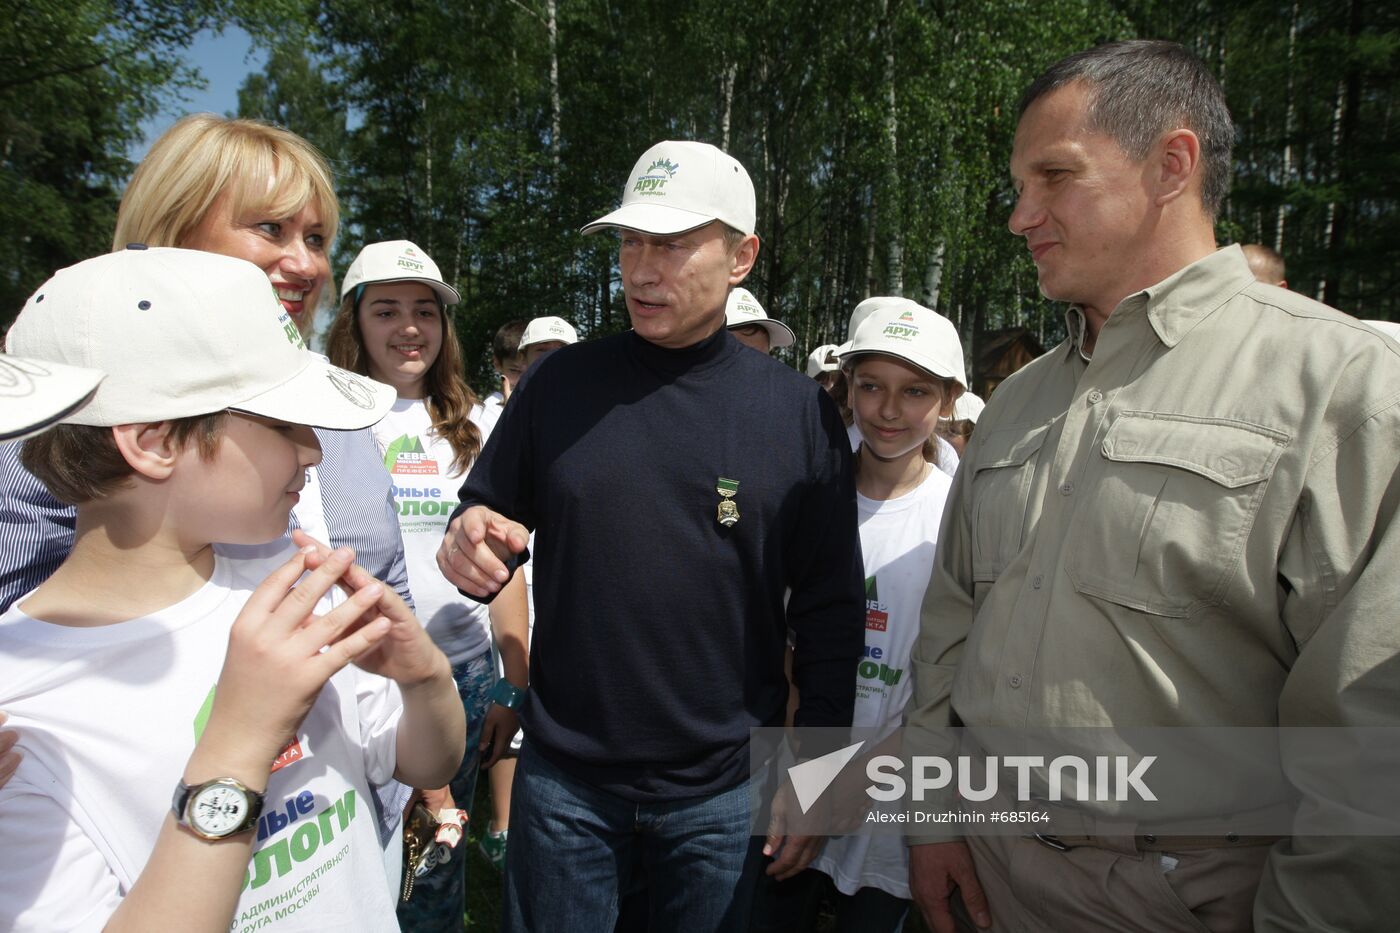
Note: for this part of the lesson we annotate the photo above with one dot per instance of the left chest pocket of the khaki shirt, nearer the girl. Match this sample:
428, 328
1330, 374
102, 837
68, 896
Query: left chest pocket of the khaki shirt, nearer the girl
1002, 494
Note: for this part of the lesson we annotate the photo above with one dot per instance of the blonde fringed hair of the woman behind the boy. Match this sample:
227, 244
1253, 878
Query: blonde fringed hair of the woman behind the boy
201, 159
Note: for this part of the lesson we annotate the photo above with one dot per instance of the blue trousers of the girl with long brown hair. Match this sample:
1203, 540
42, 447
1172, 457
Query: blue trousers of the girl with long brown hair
440, 897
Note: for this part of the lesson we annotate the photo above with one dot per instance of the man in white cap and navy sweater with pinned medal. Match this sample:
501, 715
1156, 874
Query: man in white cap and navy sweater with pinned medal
680, 487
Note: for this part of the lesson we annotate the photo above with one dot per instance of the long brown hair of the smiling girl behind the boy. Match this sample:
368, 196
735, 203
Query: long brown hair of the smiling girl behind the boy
449, 399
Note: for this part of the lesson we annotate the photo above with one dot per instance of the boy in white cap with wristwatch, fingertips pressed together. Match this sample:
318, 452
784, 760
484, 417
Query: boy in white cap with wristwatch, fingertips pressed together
152, 666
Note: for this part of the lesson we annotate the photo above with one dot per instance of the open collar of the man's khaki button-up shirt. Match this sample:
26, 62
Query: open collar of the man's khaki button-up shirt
1181, 302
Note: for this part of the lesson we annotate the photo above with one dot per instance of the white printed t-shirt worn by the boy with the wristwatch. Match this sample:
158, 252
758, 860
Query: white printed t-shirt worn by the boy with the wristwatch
108, 718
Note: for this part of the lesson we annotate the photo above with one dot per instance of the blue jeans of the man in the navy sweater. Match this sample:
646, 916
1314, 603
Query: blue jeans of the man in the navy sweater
577, 851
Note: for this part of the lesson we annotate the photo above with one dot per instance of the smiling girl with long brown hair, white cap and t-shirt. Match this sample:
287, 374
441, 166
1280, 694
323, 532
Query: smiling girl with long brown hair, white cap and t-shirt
394, 326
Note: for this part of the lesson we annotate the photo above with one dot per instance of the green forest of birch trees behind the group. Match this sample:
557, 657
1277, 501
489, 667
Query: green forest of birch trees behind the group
877, 135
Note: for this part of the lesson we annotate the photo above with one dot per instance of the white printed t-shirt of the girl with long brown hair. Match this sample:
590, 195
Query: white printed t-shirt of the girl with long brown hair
425, 488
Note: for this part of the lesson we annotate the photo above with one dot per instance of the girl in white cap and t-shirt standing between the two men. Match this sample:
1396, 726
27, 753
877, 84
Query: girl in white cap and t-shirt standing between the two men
905, 368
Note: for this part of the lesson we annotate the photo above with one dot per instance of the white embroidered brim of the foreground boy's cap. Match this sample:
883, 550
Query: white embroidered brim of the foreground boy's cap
324, 396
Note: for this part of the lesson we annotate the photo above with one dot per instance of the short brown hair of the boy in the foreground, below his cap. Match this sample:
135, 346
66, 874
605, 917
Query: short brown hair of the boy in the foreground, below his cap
82, 463
